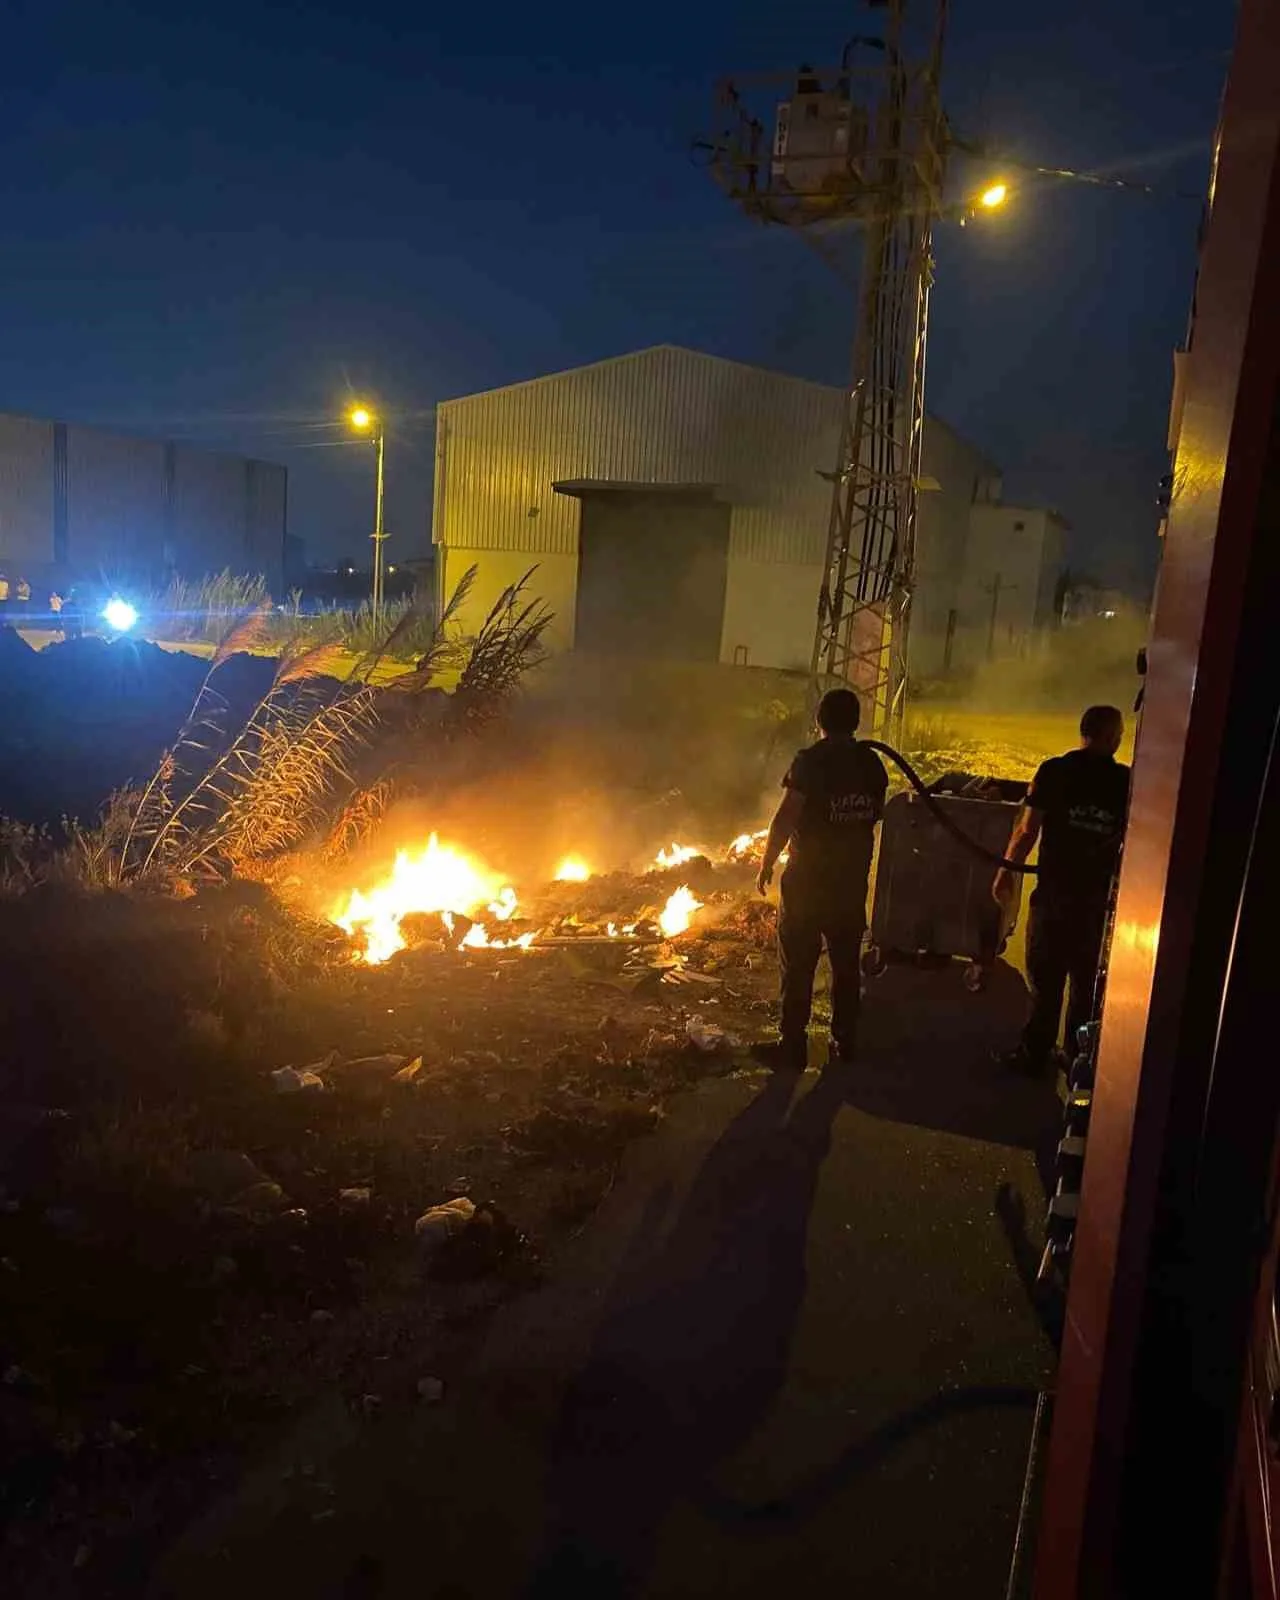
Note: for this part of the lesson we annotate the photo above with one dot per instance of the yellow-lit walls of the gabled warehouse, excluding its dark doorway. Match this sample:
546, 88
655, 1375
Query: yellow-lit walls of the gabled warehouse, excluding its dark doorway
766, 444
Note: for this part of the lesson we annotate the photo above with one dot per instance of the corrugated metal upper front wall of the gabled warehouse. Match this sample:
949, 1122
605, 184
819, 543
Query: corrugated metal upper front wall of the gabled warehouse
658, 417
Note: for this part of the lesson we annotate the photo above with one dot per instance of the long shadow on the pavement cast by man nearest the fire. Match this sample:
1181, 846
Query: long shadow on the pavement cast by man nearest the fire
694, 1348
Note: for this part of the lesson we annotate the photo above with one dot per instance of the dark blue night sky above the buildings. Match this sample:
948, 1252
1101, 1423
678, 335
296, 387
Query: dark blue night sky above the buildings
220, 222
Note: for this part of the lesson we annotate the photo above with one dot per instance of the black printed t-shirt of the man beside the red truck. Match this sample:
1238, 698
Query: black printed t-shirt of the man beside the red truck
1084, 798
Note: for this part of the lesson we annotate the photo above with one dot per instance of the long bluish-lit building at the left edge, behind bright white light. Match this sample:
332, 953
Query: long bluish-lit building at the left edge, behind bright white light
79, 503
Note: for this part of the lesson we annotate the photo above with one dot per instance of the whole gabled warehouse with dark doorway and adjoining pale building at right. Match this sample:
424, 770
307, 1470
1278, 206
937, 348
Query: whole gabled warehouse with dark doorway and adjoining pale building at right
676, 505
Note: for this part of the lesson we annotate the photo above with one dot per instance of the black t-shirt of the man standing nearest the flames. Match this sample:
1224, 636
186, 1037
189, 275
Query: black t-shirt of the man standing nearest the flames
844, 790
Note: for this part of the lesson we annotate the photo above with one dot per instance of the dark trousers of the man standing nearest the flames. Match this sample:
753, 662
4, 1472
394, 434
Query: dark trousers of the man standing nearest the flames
814, 916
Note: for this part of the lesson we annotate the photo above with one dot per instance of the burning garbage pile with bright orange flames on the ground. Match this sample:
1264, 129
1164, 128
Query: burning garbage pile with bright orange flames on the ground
449, 898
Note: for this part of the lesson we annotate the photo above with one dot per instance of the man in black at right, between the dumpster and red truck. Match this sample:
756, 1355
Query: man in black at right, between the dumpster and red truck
1076, 809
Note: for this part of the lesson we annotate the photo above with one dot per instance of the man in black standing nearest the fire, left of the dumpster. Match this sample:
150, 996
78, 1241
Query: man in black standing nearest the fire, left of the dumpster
834, 798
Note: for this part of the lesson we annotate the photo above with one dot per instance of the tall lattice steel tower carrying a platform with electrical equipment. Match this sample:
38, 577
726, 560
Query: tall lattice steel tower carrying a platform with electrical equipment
862, 145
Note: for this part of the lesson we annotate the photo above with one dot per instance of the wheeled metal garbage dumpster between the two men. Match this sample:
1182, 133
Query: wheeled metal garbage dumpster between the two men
932, 894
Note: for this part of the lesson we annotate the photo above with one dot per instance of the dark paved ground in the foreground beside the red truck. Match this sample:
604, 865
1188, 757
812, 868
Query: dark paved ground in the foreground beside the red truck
791, 1354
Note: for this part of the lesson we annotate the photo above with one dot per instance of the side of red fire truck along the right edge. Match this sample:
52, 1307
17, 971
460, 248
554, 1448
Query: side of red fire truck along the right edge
1164, 1452
